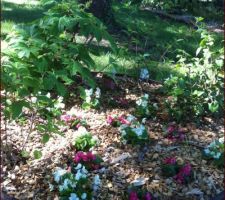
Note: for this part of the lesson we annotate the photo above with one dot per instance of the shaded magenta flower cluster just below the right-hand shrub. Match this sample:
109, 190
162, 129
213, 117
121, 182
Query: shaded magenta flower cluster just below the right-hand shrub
174, 133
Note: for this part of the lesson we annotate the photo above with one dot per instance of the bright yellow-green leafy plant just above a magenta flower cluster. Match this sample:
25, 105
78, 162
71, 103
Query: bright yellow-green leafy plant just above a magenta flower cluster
85, 142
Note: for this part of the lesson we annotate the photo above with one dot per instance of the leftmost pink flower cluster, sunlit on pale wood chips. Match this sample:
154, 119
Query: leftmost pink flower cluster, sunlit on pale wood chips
73, 121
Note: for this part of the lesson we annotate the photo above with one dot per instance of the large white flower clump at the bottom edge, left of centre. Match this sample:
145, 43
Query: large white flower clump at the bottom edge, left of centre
75, 186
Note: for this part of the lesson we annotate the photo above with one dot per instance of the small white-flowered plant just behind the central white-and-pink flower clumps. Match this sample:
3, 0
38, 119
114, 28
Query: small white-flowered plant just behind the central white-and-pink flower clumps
142, 109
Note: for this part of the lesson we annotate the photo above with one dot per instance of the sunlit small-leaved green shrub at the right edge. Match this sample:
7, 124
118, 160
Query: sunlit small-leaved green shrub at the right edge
199, 92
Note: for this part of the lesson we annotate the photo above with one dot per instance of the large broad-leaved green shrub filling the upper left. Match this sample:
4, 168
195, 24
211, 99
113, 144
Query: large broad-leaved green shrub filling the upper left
45, 55
